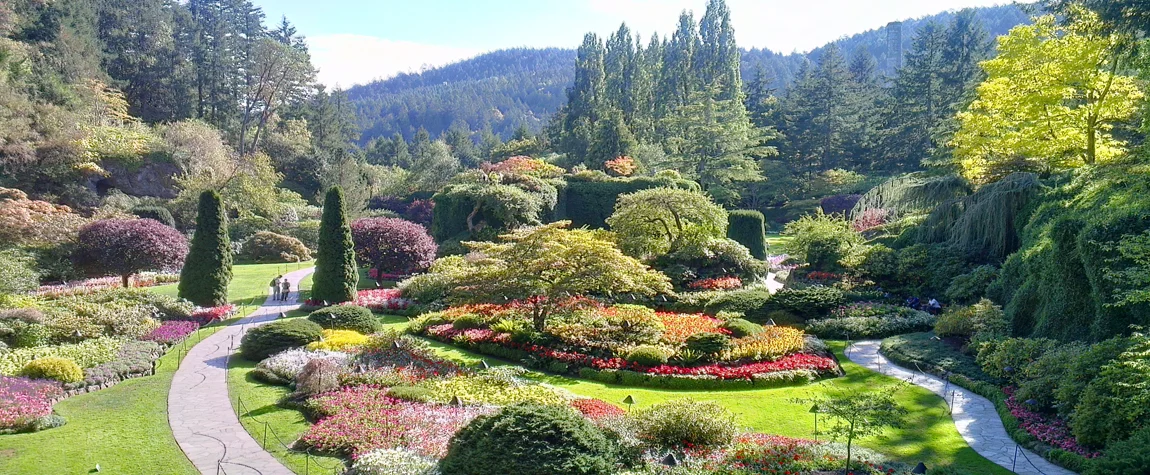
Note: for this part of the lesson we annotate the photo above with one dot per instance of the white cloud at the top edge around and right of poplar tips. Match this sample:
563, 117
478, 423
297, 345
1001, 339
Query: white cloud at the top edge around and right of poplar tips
783, 26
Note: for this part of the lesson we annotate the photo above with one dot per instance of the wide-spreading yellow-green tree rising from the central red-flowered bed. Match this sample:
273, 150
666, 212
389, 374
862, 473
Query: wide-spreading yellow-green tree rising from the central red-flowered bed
548, 264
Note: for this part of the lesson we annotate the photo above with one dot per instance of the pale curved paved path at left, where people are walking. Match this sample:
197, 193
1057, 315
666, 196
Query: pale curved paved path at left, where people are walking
200, 410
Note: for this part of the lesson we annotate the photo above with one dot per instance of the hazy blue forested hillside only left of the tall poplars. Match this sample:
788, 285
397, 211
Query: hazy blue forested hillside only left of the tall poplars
501, 90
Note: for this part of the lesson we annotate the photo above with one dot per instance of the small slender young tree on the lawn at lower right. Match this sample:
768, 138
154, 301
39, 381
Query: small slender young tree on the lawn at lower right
856, 415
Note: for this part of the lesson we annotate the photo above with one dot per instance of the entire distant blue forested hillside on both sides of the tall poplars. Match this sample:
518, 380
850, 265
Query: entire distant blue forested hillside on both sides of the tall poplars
509, 88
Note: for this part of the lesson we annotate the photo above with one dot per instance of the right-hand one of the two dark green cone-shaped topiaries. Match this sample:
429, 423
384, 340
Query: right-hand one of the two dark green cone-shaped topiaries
336, 275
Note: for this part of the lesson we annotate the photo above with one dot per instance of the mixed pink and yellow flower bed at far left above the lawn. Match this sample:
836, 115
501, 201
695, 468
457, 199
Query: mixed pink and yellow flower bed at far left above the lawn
81, 342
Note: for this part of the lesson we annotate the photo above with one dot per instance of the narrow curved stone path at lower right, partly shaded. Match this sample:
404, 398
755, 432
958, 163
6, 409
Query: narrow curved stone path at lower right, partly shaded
976, 417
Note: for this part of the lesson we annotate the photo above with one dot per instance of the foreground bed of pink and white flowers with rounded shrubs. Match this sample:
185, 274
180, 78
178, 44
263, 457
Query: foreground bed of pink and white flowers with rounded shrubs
388, 404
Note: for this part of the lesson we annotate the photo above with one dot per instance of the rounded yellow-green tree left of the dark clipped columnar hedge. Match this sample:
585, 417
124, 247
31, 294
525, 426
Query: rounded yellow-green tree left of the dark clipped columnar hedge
656, 221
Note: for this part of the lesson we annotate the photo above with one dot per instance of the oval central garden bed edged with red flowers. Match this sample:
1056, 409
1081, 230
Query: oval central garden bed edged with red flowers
634, 346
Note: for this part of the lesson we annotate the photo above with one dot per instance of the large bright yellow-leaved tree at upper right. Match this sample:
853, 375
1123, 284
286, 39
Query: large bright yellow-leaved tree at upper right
1051, 101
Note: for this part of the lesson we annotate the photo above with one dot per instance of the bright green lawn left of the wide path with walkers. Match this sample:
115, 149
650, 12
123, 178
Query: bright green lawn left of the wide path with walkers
125, 428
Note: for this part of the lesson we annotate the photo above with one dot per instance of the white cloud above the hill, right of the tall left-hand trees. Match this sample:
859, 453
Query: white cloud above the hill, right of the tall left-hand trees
346, 60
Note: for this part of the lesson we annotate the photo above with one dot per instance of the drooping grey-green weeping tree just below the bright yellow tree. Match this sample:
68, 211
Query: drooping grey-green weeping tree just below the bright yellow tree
985, 226
